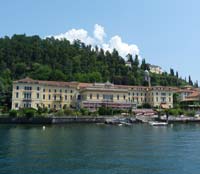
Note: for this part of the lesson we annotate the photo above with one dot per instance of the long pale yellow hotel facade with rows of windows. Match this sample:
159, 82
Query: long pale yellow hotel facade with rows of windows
29, 93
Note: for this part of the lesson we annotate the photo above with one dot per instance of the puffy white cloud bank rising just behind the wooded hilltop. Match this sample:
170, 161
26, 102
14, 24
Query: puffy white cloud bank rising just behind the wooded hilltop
99, 34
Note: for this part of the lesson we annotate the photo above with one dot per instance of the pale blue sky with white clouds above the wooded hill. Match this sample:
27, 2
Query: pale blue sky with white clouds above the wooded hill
165, 33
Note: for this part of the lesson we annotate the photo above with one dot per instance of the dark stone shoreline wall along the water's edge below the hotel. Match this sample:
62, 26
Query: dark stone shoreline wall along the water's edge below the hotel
87, 119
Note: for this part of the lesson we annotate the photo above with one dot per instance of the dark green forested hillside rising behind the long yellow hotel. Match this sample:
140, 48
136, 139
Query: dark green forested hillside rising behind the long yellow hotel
51, 59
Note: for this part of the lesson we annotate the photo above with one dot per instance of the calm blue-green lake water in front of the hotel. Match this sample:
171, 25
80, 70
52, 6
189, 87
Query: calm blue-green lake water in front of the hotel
103, 149
